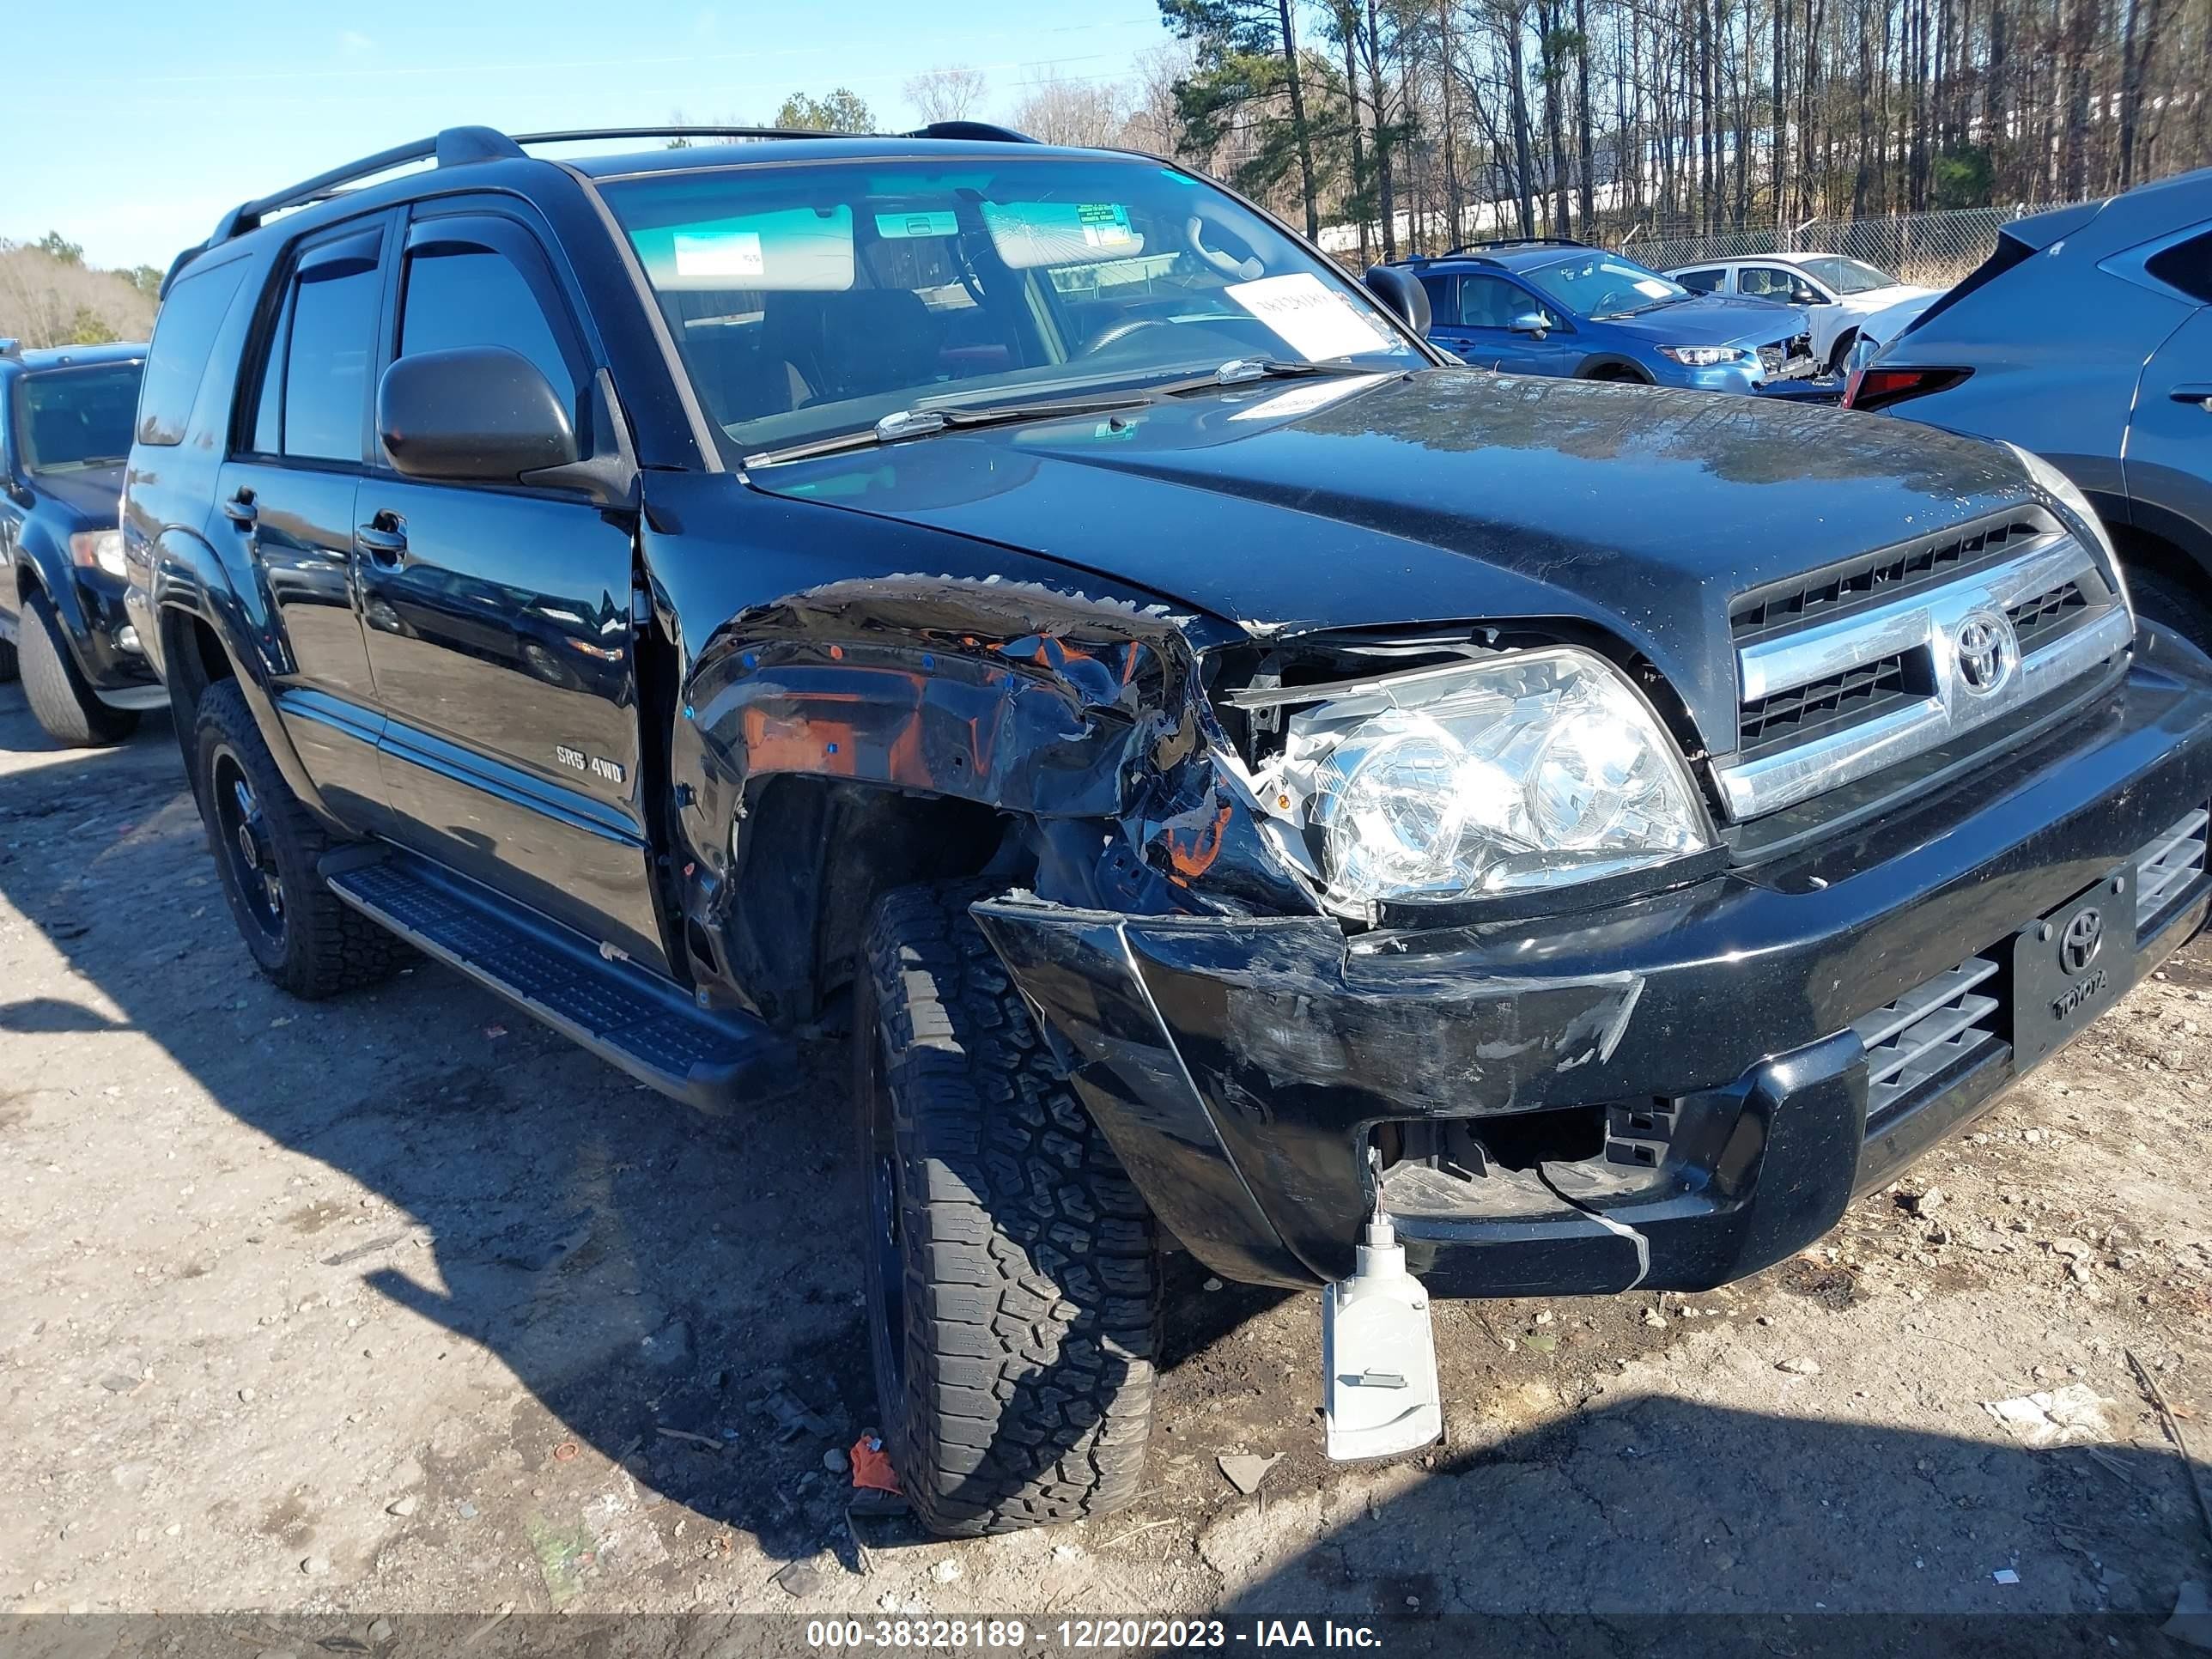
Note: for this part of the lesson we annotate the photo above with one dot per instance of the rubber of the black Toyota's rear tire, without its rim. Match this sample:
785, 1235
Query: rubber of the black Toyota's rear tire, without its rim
331, 946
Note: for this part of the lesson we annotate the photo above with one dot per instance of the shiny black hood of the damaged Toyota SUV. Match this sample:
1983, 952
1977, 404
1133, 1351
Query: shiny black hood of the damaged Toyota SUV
1446, 497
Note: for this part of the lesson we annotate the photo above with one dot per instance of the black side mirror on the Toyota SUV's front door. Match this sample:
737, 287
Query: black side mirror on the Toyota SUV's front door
477, 415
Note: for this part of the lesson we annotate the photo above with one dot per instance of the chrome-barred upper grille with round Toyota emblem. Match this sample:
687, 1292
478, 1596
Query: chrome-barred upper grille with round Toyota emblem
1886, 658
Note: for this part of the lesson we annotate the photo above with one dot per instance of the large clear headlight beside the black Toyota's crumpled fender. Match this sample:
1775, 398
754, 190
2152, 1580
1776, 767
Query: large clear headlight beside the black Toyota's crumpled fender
1503, 775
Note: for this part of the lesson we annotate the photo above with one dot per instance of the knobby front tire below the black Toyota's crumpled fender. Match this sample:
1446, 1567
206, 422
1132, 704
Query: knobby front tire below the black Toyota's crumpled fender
1012, 1269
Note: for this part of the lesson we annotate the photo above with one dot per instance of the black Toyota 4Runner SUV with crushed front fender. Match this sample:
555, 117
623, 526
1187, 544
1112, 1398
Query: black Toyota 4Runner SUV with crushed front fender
1255, 782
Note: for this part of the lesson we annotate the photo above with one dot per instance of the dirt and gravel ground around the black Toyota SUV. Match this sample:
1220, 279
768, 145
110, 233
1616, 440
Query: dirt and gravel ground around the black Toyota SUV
404, 1304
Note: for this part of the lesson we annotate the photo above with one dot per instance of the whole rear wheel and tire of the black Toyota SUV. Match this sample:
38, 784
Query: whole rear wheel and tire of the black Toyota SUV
267, 848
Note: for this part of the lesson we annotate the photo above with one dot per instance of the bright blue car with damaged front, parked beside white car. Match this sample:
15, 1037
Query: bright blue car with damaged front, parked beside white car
1563, 309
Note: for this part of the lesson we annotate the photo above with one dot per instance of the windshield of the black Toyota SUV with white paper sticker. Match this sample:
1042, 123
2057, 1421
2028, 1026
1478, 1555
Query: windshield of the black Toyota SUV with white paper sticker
817, 300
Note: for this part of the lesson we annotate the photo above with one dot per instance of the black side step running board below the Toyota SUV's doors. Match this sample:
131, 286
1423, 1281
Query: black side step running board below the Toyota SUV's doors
627, 1016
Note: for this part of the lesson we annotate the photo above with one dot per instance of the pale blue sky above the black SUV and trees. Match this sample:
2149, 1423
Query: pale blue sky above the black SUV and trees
169, 114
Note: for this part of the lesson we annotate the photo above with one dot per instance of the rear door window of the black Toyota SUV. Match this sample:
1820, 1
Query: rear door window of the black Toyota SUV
328, 344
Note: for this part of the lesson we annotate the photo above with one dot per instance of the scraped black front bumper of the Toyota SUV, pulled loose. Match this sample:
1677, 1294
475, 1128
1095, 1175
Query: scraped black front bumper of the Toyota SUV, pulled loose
1667, 1094
